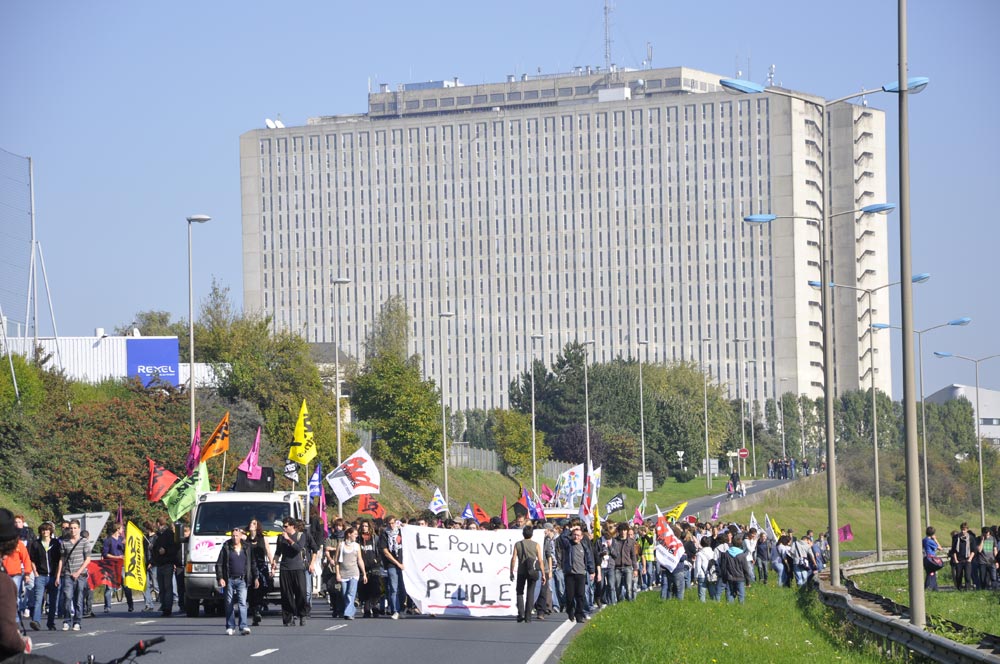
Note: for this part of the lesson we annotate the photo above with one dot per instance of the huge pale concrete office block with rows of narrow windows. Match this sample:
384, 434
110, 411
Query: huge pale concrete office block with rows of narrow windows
593, 205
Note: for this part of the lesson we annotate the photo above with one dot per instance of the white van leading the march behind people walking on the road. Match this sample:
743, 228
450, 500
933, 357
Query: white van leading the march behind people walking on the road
212, 520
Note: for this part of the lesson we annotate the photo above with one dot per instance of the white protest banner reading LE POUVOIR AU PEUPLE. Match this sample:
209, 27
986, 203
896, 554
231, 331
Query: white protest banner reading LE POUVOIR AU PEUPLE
461, 572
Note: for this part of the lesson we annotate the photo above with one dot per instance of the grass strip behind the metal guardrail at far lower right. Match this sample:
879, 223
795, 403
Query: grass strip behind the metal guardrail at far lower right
978, 610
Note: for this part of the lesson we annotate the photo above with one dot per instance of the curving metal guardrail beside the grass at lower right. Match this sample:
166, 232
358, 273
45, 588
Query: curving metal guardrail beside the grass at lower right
896, 627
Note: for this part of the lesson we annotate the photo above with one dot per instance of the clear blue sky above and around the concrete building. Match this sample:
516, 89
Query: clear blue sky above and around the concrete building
132, 113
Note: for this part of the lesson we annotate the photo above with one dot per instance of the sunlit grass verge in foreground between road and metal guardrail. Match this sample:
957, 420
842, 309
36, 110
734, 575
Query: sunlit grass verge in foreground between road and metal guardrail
775, 625
